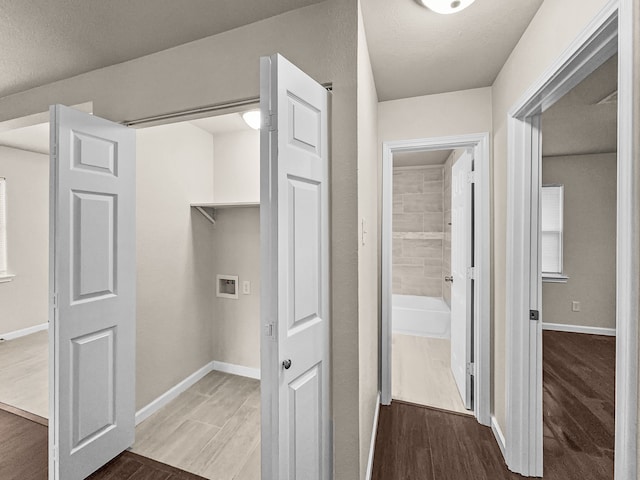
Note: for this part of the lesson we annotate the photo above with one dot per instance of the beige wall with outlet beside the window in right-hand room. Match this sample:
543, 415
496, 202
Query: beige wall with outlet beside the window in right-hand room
589, 253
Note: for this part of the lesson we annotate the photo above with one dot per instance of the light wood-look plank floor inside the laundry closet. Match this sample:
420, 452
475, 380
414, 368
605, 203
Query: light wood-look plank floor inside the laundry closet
212, 429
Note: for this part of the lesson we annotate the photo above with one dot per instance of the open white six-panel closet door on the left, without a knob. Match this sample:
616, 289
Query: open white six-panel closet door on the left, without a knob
92, 347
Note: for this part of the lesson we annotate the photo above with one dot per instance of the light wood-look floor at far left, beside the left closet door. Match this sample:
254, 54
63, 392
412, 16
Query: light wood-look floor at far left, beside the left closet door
24, 373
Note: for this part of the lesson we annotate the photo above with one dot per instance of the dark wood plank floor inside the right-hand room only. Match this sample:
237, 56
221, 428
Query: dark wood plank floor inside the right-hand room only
579, 404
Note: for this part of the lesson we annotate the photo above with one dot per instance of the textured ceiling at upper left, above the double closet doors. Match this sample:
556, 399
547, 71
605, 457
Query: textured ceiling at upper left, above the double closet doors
48, 40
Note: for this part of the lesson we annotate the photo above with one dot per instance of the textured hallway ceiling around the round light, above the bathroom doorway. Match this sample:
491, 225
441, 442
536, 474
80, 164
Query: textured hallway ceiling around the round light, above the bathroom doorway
415, 51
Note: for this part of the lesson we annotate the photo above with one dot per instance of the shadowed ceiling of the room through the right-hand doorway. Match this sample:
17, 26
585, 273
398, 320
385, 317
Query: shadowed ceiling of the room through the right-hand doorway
577, 124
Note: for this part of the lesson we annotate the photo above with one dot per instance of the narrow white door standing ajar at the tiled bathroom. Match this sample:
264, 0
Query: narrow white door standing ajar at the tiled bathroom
461, 256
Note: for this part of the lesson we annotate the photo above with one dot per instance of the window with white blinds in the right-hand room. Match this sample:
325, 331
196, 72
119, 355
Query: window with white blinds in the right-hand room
552, 226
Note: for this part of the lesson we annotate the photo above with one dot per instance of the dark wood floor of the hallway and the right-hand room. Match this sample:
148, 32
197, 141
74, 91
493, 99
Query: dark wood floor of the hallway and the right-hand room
420, 443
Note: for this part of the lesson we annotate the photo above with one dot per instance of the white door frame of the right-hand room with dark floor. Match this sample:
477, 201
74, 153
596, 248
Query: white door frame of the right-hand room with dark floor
610, 31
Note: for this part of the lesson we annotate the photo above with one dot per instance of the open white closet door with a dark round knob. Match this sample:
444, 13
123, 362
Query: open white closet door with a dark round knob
295, 268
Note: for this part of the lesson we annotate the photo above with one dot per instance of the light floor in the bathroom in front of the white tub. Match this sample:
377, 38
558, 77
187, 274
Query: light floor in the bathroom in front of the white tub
421, 372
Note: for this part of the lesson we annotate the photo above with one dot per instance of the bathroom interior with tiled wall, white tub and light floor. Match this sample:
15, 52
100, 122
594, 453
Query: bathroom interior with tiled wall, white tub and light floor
422, 279
